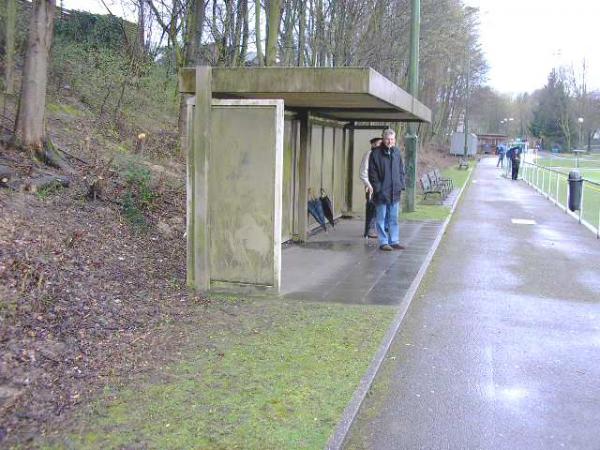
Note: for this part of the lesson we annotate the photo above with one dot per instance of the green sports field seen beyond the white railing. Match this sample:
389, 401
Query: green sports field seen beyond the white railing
555, 183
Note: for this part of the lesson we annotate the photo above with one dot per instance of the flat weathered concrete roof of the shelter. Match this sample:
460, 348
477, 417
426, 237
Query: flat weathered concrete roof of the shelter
346, 94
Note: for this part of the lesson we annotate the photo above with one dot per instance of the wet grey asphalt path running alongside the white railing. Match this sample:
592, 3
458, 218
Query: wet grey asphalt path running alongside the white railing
501, 347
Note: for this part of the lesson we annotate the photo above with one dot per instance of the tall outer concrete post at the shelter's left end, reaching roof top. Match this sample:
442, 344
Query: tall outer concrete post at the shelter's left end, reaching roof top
198, 229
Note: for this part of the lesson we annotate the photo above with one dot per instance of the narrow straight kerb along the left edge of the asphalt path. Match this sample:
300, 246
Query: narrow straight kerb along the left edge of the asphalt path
338, 437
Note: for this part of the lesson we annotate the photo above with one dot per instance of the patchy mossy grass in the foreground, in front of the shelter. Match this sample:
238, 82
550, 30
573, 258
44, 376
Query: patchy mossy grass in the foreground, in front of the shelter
278, 375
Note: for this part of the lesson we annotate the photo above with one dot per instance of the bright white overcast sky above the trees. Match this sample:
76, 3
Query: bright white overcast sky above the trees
522, 39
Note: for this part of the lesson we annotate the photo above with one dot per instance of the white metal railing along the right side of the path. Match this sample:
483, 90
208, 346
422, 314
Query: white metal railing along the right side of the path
554, 185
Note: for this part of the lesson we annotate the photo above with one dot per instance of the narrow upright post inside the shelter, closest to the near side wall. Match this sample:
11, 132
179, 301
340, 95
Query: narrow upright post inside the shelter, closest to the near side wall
303, 176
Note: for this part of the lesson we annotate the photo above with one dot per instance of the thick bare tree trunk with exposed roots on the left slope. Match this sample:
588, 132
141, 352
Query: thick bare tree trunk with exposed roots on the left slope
30, 127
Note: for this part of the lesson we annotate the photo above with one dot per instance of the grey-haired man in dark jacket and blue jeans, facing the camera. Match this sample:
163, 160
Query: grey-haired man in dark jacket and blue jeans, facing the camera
386, 175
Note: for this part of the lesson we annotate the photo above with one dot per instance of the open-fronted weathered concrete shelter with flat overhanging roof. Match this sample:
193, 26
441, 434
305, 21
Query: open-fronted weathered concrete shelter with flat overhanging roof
260, 142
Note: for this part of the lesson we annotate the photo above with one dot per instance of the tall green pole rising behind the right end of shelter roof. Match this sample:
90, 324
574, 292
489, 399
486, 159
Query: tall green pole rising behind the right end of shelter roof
412, 139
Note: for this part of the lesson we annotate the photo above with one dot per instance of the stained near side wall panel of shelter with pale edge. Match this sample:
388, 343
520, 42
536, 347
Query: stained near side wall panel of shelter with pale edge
245, 193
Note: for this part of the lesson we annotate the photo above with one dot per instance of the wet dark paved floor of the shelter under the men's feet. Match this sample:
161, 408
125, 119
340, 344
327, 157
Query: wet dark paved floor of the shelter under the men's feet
341, 266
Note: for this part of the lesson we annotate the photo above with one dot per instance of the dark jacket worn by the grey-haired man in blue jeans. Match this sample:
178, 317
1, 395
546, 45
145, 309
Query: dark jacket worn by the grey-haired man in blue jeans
386, 174
